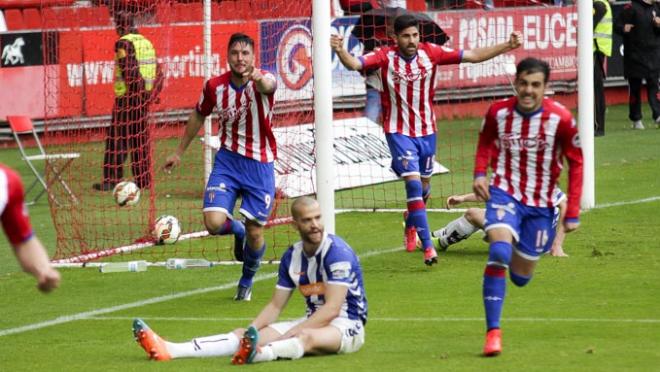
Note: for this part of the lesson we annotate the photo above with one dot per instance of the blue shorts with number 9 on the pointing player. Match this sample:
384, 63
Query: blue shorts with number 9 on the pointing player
235, 175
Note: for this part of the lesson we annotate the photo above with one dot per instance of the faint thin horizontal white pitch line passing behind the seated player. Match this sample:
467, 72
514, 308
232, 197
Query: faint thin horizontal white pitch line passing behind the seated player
404, 319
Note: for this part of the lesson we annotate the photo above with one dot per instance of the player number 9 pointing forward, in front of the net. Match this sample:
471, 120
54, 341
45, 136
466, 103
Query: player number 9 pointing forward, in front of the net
244, 98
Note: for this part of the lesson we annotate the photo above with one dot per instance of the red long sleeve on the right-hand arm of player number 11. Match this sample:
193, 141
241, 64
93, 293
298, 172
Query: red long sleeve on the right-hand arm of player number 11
569, 138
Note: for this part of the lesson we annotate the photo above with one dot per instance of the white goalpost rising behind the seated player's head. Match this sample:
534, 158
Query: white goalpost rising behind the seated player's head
324, 136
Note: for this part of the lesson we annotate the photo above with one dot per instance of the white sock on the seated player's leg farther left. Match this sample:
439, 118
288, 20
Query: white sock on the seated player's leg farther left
201, 347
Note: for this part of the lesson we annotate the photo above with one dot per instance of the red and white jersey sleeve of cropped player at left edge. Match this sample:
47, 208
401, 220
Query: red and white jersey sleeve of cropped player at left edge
13, 212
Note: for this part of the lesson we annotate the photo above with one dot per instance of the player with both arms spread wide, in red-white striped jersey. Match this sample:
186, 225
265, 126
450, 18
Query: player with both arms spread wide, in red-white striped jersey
408, 73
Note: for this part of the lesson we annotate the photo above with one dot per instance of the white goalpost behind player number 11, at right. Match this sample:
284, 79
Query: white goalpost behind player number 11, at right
586, 101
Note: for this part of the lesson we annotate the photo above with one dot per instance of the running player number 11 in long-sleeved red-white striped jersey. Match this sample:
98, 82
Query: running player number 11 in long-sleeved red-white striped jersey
525, 139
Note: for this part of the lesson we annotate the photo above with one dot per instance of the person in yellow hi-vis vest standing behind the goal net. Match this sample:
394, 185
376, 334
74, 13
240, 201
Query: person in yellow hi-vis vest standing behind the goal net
137, 84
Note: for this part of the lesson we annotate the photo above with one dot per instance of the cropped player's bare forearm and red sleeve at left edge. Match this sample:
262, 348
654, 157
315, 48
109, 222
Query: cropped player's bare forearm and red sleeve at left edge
29, 251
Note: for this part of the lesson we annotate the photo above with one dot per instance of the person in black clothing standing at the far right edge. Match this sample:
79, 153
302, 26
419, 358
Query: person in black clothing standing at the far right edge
639, 23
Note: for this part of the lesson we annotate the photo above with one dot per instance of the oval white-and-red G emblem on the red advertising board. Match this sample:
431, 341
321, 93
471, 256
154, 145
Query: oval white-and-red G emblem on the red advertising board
294, 60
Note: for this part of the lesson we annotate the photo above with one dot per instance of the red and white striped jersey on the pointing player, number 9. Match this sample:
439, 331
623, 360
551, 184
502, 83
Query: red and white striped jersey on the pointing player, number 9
245, 116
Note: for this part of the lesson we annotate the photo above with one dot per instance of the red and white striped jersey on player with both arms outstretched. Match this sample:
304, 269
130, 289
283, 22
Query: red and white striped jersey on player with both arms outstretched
409, 86
